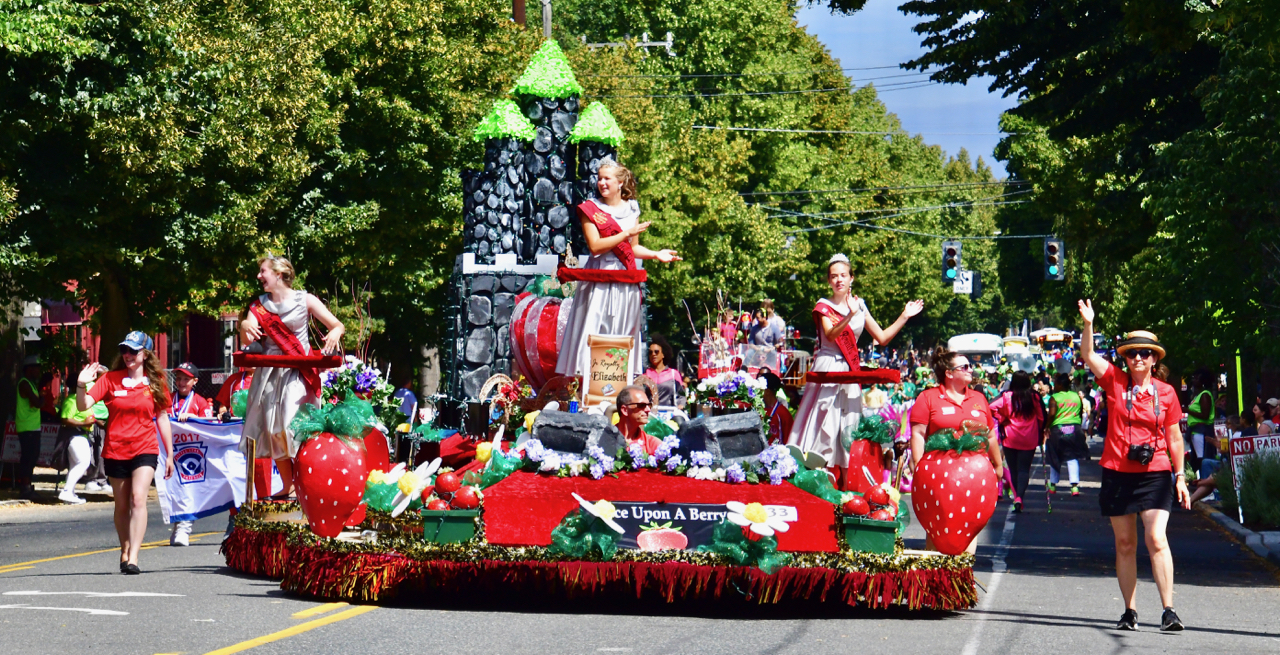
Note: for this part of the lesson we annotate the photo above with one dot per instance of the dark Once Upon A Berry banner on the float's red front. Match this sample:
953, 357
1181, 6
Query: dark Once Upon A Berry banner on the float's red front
676, 526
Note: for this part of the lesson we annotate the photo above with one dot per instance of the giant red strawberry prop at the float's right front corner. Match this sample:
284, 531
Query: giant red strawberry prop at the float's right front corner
956, 489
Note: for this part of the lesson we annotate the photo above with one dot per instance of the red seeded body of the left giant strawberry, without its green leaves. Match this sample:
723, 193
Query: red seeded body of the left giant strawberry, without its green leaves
331, 478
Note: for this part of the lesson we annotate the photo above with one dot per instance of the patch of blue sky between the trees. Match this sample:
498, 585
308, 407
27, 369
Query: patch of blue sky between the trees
950, 116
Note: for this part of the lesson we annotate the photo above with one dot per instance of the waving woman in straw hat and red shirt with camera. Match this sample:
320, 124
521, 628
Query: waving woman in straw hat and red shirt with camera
1142, 462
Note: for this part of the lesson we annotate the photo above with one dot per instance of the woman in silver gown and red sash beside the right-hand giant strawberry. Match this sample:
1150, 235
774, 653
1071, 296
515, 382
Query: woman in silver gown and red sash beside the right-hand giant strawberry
830, 410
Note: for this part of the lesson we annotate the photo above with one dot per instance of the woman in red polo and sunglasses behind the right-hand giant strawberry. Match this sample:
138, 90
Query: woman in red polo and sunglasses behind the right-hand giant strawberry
949, 405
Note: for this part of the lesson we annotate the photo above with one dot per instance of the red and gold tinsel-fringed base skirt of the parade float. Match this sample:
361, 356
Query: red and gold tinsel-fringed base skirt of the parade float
401, 567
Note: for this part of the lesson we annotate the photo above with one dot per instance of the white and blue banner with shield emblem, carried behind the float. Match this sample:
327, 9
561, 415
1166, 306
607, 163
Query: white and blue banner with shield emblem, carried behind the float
209, 471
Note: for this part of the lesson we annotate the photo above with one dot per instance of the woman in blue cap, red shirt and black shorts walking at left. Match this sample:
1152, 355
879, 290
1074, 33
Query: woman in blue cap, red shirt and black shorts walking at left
136, 395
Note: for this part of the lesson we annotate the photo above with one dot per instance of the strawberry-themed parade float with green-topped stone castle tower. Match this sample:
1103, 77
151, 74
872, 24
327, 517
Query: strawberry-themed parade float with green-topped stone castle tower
536, 500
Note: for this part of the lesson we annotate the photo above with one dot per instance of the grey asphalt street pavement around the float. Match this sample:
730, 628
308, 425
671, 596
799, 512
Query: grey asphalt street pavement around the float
1048, 576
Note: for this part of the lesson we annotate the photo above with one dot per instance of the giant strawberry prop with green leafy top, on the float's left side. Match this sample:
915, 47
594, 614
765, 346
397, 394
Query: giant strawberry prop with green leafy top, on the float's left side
332, 466
